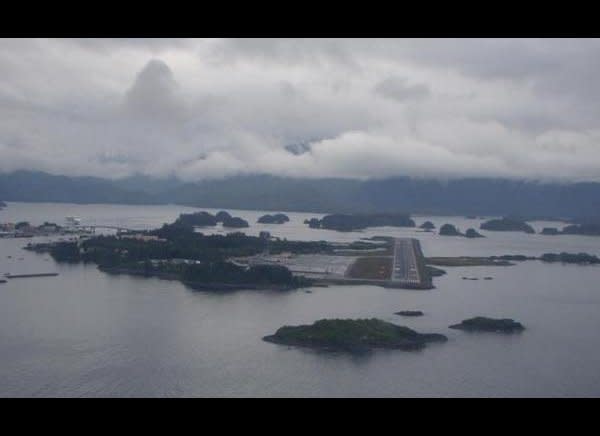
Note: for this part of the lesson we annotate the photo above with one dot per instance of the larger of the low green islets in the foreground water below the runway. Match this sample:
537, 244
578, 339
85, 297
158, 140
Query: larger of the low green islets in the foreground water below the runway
353, 335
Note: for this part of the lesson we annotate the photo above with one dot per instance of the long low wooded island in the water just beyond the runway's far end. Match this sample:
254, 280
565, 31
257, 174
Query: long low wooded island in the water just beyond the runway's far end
347, 223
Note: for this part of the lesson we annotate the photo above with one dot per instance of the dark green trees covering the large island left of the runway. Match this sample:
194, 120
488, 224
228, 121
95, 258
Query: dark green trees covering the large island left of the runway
177, 251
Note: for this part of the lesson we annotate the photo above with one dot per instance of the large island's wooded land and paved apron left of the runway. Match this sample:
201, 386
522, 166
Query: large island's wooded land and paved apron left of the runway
178, 251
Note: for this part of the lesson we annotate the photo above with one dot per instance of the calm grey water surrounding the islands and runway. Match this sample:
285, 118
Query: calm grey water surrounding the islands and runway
86, 333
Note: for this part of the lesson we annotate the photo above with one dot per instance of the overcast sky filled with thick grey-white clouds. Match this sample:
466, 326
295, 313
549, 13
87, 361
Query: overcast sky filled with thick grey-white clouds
310, 108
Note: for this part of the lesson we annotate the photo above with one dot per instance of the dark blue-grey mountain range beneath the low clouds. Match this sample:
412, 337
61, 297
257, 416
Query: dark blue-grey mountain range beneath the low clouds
473, 196
